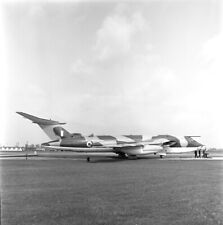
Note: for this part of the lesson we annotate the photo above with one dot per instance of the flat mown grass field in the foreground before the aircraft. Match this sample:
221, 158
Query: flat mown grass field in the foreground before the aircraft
148, 191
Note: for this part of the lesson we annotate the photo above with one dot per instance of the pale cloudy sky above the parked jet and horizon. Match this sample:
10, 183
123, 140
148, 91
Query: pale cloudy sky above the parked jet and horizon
112, 67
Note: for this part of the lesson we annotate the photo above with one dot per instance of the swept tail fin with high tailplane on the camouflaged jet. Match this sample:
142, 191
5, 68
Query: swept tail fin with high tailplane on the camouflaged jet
50, 127
